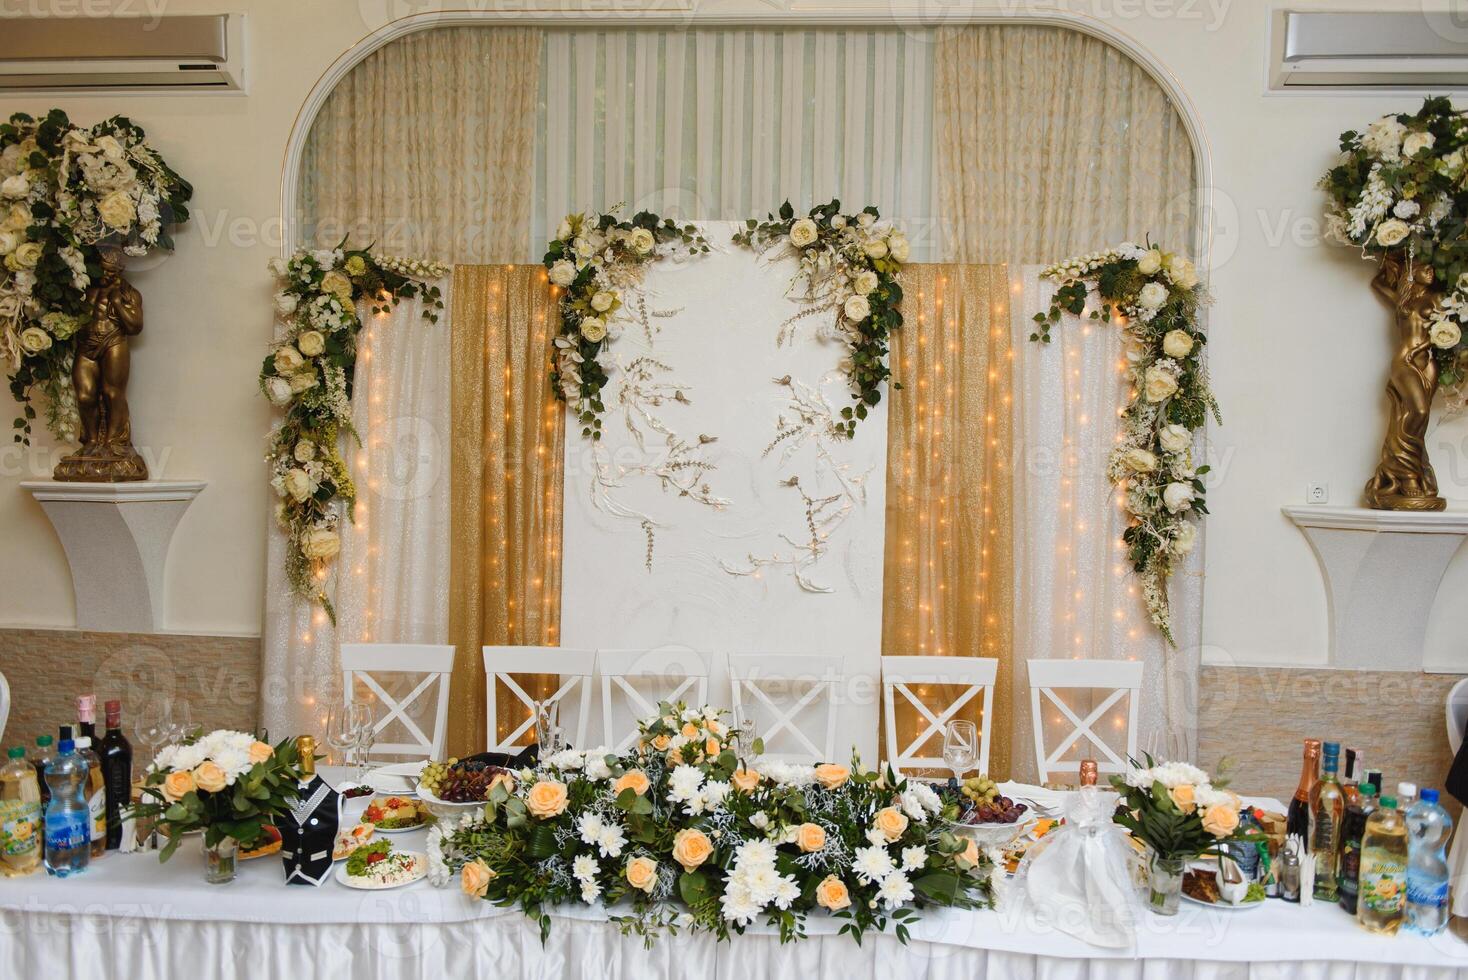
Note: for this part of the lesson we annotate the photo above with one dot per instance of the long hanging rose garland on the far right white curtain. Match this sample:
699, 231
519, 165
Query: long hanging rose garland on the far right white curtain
1155, 297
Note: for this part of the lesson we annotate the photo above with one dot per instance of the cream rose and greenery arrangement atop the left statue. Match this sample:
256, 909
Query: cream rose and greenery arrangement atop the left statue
67, 193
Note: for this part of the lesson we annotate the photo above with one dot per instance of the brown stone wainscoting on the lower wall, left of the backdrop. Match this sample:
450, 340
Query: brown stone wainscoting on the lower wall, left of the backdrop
219, 677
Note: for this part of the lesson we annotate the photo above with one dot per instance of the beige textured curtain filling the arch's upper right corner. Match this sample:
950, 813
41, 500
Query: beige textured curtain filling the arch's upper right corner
1052, 143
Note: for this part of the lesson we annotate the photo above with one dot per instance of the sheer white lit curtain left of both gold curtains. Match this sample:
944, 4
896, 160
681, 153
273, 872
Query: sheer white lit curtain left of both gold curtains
393, 576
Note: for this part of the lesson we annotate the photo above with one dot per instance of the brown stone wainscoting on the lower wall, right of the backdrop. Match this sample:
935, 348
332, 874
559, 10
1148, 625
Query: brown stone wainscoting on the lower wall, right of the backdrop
1257, 718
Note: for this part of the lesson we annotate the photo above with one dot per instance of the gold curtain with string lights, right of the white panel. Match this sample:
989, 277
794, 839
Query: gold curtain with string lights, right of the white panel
949, 517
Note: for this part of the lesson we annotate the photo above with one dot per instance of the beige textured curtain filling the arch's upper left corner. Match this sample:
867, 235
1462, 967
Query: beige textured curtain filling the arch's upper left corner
428, 147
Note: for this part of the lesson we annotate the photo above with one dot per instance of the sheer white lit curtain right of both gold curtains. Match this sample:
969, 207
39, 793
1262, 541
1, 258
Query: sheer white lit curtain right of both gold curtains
1075, 590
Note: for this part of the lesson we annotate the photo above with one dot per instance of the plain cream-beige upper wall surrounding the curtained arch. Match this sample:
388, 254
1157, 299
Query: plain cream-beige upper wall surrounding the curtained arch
1298, 348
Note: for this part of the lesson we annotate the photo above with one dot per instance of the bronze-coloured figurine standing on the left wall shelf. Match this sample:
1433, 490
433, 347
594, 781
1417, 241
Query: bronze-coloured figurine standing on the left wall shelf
101, 378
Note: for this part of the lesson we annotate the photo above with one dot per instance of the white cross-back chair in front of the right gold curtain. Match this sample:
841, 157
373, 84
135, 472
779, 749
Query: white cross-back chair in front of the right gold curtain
902, 676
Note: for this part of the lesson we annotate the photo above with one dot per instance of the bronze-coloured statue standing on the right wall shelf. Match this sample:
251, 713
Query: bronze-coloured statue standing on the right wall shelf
1404, 479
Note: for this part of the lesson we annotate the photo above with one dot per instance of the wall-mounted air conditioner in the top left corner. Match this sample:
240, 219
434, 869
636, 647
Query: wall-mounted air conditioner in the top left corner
196, 52
